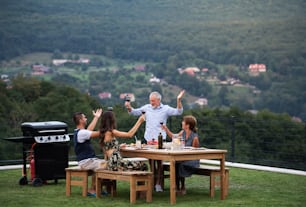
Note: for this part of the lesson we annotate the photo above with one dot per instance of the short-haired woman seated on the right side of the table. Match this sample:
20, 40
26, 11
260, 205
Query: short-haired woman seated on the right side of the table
185, 168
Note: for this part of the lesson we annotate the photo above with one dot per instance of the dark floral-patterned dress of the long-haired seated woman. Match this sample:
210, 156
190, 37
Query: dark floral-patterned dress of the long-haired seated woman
115, 161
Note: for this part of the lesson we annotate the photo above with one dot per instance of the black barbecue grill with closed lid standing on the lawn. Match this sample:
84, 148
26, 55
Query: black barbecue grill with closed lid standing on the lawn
50, 141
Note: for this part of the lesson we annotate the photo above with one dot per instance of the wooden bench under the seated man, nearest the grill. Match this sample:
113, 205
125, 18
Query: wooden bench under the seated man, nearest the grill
76, 176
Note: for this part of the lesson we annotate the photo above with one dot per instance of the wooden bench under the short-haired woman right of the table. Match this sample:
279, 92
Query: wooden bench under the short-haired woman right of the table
208, 170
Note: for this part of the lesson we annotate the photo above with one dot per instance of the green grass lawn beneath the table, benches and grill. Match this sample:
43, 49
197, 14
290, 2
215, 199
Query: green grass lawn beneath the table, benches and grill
247, 188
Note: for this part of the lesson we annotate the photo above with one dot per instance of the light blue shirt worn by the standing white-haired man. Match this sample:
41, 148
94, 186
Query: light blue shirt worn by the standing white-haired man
153, 118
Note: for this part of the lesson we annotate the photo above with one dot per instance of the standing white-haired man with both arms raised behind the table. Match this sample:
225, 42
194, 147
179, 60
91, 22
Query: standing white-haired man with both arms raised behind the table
156, 114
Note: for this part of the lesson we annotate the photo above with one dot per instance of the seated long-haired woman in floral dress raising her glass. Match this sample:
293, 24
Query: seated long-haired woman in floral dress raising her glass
110, 144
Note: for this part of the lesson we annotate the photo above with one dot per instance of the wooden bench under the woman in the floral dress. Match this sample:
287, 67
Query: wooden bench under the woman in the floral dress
139, 181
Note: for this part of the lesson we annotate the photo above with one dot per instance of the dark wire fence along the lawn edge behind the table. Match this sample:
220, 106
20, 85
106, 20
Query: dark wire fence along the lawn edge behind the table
274, 143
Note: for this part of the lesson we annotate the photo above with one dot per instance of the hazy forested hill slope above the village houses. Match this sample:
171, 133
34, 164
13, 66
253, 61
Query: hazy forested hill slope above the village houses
223, 31
